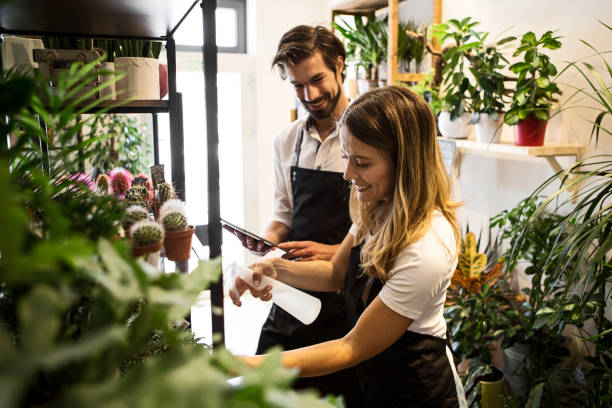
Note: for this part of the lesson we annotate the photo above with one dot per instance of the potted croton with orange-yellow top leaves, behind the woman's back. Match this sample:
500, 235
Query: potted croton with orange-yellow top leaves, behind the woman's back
476, 316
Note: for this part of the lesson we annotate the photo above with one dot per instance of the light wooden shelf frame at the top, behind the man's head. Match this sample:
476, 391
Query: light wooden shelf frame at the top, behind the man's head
364, 7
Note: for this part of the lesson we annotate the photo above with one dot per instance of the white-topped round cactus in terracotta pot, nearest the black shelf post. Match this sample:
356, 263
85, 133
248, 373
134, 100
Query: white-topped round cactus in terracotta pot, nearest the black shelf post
177, 239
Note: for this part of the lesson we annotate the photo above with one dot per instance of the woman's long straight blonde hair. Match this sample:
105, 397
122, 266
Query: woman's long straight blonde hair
400, 123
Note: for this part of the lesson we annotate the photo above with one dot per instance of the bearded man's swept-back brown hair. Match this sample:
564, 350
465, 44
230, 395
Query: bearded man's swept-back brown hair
302, 42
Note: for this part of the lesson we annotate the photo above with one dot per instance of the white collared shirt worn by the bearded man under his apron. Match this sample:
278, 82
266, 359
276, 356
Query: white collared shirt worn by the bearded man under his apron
313, 155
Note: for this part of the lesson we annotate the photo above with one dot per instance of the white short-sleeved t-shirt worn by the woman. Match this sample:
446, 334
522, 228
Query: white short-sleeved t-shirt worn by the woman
418, 281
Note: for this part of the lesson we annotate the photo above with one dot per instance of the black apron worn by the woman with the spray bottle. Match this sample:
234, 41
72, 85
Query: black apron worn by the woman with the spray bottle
413, 372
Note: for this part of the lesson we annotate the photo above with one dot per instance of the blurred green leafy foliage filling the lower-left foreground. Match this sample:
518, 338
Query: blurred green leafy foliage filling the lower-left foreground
70, 334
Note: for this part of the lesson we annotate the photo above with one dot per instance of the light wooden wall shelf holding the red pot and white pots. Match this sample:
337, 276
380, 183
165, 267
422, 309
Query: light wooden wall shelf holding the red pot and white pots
550, 151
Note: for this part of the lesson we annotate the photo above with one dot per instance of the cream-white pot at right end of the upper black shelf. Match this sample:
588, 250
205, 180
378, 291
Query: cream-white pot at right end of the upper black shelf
141, 80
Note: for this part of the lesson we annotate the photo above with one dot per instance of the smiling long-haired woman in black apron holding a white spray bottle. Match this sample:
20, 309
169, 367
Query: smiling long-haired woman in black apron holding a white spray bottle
395, 263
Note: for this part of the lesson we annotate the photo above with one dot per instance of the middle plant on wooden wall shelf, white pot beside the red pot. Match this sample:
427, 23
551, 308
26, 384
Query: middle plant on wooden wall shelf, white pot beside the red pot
486, 64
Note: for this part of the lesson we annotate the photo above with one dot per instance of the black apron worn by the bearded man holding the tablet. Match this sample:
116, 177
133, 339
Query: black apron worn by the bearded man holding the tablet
320, 214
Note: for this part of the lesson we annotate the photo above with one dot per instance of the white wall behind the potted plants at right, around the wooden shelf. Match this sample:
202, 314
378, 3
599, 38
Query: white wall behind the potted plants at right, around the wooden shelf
489, 184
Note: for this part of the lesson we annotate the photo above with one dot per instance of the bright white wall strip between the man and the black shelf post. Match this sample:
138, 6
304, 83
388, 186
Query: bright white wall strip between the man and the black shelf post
274, 97
